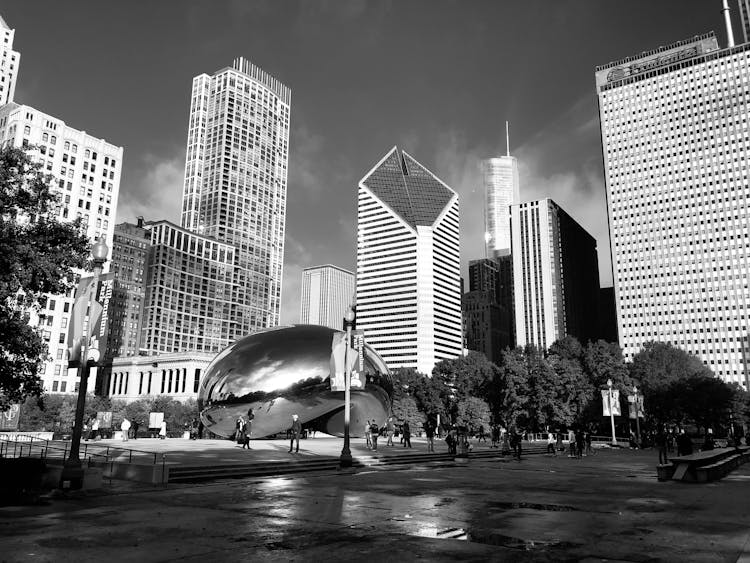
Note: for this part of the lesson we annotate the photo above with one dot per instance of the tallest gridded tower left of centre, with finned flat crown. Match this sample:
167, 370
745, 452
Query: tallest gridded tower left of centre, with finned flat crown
236, 179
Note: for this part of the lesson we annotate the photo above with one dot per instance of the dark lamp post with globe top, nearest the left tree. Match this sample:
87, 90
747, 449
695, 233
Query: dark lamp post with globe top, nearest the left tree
72, 470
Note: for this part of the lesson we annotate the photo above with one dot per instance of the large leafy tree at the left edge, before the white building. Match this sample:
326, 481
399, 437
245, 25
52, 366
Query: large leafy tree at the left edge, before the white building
38, 255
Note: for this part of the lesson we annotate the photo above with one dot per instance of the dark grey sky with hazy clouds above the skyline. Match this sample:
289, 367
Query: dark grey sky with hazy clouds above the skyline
438, 78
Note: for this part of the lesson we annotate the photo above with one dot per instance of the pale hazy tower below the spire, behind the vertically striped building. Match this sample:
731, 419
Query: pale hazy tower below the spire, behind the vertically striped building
501, 190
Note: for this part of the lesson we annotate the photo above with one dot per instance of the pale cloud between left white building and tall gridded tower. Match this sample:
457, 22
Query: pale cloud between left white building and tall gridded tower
156, 193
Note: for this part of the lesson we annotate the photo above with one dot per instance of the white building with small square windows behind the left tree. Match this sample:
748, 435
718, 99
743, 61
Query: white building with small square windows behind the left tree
86, 172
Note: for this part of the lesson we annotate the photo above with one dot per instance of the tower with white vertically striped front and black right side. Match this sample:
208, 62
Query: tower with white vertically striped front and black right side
555, 275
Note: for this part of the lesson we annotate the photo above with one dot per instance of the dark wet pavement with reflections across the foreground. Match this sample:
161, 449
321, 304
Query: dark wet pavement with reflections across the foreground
604, 507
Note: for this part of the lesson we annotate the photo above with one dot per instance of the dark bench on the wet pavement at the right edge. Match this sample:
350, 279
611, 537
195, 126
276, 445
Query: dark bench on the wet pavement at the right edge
703, 467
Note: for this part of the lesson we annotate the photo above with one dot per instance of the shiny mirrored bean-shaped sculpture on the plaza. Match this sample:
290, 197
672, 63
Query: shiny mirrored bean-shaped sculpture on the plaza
286, 370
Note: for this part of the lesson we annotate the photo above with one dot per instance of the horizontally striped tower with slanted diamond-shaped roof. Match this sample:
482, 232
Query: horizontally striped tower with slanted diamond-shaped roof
408, 264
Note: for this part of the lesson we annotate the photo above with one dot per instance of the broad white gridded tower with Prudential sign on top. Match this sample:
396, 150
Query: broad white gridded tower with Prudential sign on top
676, 147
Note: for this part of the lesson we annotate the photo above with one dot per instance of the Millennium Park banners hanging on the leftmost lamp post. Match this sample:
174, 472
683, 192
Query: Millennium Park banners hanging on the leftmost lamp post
91, 322
